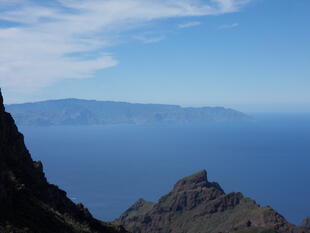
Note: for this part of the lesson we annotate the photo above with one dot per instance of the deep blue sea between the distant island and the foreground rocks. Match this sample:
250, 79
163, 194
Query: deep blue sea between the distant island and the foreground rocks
109, 167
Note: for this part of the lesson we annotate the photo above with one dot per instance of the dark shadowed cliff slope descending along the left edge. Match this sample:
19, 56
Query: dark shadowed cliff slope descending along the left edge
28, 203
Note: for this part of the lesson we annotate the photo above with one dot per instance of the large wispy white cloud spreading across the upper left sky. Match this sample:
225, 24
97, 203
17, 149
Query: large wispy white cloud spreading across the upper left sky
67, 39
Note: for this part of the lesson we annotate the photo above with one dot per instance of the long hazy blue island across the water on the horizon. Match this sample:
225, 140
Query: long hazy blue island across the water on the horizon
92, 112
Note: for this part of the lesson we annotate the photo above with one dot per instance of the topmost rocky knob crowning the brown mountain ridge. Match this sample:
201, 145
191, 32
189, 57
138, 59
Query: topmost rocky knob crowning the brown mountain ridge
198, 180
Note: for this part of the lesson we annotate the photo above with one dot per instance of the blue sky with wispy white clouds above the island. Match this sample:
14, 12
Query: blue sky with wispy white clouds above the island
251, 55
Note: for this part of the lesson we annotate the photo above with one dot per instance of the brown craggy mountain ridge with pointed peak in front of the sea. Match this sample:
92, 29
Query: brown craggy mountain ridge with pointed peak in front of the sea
196, 205
